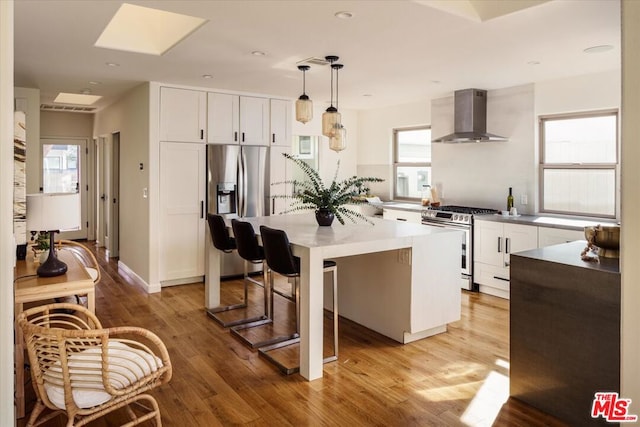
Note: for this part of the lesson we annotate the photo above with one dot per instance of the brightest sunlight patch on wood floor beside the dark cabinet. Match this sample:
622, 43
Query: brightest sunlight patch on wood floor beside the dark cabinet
487, 402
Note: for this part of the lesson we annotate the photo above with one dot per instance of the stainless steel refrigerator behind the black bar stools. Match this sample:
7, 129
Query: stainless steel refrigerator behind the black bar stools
237, 186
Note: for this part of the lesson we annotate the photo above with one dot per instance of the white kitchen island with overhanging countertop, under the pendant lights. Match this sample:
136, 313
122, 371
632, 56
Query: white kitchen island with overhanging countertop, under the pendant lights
401, 280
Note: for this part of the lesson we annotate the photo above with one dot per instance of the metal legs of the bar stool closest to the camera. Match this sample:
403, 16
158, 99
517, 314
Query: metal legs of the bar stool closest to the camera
295, 338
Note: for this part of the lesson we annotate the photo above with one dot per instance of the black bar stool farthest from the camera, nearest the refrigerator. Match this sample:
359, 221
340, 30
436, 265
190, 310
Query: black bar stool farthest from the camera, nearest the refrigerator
225, 243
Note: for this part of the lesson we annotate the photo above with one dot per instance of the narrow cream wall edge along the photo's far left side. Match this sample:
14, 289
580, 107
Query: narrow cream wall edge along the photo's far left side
7, 248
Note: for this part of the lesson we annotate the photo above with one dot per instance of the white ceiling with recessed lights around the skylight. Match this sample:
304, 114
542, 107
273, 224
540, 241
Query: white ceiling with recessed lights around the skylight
396, 51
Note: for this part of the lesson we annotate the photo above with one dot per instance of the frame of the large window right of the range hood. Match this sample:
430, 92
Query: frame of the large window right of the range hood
615, 166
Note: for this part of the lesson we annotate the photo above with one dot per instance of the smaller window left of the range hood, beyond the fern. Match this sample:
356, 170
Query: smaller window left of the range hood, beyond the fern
412, 161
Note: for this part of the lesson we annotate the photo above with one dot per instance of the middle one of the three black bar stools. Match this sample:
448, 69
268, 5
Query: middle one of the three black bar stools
253, 253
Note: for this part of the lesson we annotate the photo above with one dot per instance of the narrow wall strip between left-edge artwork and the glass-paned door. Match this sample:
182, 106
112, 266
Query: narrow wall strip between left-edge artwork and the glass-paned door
31, 98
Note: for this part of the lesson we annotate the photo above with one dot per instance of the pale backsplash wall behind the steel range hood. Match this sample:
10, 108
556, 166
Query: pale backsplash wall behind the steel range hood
480, 174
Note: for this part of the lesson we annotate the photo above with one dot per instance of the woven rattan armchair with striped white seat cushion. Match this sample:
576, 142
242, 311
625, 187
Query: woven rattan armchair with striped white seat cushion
86, 371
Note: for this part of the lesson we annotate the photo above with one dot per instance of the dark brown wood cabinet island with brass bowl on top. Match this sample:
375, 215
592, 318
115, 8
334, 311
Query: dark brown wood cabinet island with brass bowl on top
564, 330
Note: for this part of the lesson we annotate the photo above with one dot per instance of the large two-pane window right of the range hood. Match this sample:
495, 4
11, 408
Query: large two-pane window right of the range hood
579, 164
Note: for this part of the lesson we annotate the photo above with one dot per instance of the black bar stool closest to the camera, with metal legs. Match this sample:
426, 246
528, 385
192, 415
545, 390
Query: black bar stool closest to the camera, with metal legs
281, 260
